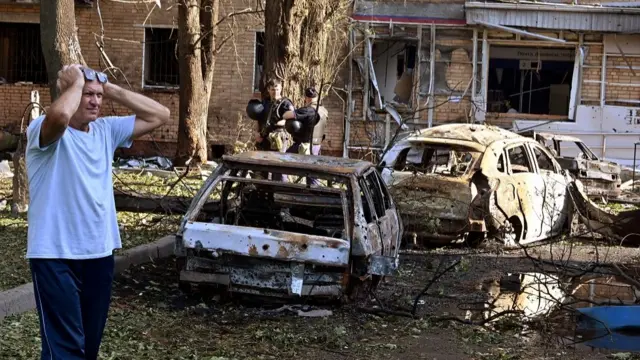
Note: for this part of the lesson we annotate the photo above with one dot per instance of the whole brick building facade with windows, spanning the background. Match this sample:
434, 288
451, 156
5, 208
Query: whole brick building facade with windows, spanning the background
479, 56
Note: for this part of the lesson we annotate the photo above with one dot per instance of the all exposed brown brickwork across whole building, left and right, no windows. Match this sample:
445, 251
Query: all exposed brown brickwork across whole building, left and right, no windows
233, 78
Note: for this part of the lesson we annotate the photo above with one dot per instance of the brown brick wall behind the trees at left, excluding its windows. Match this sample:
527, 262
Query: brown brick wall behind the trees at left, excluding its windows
123, 44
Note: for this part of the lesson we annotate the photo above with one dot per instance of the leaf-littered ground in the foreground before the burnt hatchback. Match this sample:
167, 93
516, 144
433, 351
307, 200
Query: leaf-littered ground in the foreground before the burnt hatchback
151, 318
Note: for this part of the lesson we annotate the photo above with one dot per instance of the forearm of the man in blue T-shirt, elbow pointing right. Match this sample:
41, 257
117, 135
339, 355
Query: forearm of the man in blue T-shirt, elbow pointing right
145, 108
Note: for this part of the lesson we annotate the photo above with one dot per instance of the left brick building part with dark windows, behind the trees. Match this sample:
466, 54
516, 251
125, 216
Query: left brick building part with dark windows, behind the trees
141, 40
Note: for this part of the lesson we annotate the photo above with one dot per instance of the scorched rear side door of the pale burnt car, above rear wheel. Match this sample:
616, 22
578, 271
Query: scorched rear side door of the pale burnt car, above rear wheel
529, 188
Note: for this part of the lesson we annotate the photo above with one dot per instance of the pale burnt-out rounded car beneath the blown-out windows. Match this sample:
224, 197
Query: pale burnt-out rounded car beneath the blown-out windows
460, 181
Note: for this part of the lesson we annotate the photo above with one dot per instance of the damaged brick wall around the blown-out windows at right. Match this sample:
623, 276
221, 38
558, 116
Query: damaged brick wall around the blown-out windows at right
453, 72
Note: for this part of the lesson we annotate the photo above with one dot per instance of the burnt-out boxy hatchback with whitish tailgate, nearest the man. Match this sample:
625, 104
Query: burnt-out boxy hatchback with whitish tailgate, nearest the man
250, 234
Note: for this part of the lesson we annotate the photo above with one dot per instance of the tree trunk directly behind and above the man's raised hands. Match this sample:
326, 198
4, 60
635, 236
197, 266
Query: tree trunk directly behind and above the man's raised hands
59, 38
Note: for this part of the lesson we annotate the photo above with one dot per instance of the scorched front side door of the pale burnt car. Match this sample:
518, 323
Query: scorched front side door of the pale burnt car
556, 194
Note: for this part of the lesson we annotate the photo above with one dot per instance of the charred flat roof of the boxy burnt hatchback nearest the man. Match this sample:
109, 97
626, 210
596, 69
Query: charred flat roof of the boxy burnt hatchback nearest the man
328, 164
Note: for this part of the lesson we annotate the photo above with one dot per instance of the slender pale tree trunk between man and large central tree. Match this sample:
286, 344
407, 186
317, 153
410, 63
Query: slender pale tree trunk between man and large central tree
197, 29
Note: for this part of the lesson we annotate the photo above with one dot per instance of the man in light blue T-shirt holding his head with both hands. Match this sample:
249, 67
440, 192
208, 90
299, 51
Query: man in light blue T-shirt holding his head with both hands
73, 227
